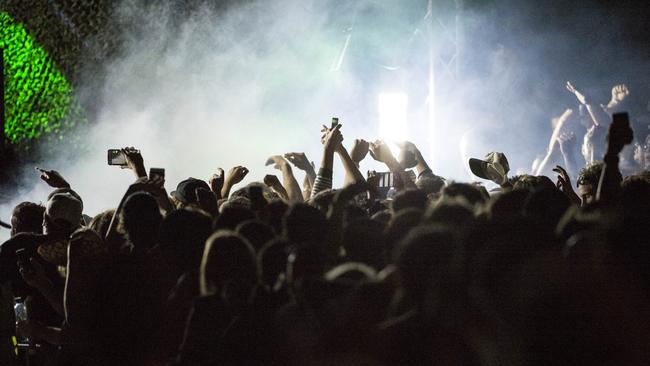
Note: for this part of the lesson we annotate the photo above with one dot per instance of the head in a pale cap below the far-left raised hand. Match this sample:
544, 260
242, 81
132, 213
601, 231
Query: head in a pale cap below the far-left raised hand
62, 213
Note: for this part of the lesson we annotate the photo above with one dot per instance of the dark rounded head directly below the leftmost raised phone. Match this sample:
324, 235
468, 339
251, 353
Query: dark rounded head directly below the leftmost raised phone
140, 219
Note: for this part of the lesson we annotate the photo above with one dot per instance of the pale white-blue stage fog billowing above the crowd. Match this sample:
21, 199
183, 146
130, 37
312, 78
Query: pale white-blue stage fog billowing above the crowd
219, 89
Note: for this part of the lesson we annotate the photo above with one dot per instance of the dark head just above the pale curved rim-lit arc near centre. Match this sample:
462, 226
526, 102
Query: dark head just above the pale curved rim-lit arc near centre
363, 241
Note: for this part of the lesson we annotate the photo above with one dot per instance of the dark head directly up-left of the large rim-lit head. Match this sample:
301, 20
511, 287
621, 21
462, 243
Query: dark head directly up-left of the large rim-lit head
182, 235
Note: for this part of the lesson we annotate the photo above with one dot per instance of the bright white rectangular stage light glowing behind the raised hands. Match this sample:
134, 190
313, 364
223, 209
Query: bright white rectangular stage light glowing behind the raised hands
393, 111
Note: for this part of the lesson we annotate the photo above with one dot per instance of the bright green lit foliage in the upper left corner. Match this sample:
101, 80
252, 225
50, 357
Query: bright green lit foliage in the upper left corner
39, 101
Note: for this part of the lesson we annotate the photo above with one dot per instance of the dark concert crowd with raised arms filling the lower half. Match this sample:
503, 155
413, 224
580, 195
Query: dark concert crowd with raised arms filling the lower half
279, 273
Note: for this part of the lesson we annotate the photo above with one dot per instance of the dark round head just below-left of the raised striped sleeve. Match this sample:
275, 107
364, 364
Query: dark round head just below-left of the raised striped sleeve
305, 224
